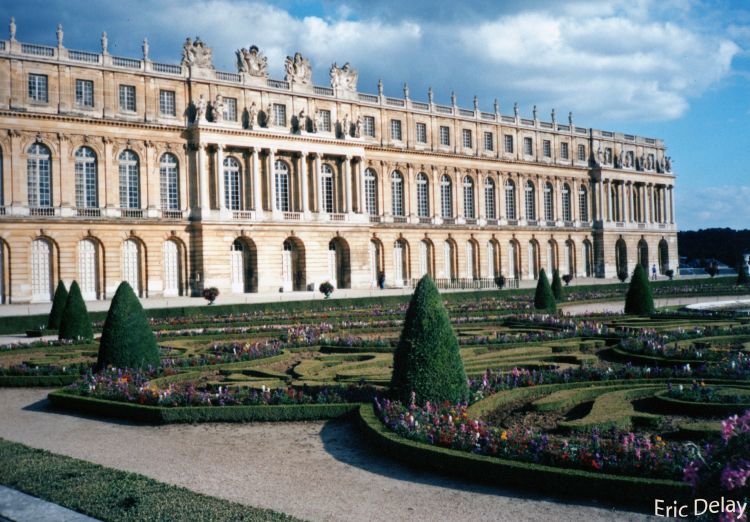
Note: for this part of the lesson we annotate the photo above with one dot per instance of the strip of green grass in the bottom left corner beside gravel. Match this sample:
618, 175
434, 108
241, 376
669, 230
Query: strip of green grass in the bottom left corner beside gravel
113, 495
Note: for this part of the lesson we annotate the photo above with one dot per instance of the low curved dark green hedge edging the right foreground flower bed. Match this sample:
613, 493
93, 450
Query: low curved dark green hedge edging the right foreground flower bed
615, 489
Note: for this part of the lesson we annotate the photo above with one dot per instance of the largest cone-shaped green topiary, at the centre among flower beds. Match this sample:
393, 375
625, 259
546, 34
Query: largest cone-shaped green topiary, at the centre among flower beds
427, 360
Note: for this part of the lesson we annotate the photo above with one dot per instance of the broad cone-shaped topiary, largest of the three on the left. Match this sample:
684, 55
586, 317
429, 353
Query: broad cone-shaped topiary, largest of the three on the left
127, 340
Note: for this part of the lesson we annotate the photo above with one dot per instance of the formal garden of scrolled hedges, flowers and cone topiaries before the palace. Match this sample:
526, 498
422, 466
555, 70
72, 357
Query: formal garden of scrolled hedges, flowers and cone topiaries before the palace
500, 387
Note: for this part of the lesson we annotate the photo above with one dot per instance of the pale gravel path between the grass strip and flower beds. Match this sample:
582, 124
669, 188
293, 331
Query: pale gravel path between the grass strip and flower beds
313, 470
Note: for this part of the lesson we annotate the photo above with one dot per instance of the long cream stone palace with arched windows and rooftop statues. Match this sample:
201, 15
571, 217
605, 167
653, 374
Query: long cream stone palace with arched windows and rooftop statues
177, 177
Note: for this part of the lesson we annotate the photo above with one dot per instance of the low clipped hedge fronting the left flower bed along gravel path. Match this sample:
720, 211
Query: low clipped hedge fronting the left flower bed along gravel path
190, 414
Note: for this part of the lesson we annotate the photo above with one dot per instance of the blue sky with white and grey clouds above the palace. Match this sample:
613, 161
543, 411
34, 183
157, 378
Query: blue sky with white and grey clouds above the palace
673, 69
